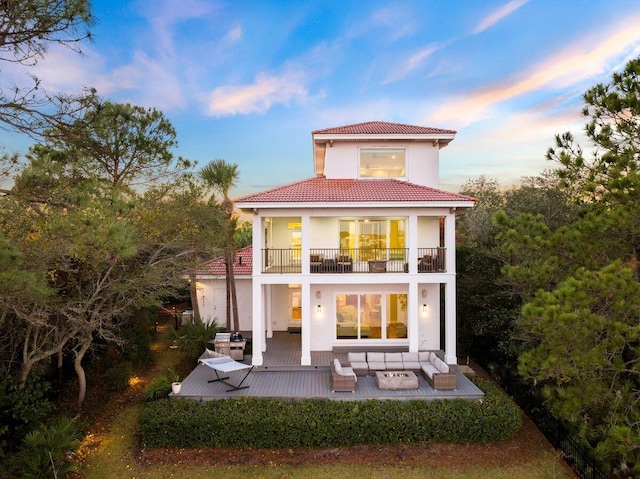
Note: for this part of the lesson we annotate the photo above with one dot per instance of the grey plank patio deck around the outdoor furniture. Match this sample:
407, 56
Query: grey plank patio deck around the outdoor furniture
281, 376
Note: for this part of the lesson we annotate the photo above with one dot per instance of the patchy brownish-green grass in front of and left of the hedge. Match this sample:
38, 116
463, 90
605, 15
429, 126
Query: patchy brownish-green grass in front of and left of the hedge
112, 451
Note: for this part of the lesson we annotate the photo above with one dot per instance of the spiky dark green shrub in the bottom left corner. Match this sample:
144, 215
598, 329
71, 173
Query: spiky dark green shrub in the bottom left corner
46, 451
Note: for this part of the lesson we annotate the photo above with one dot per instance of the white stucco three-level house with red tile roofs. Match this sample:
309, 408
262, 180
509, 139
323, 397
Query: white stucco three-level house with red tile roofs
361, 255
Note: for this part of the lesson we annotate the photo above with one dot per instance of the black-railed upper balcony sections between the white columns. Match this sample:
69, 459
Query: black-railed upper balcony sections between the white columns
347, 261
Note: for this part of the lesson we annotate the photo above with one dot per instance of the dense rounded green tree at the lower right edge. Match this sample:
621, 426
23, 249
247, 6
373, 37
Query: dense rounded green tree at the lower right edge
587, 344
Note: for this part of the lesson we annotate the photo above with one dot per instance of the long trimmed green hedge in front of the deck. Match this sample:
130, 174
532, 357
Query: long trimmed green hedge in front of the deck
277, 423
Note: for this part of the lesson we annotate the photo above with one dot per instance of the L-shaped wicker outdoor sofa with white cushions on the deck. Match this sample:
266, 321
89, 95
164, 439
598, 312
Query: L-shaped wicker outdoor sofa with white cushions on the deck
434, 369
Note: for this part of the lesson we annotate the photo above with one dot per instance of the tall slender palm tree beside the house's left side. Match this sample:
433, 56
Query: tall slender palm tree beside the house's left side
223, 176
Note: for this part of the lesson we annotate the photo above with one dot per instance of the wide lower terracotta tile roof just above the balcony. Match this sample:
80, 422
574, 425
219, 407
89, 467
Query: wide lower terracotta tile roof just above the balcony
322, 190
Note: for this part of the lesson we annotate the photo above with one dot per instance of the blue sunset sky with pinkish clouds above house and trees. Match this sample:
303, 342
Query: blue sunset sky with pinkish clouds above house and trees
248, 81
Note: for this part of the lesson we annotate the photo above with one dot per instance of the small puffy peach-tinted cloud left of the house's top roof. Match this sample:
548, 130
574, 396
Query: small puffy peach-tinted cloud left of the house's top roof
257, 97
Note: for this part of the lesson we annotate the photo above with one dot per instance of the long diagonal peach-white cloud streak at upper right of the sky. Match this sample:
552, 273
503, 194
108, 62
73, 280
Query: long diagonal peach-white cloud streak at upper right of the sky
586, 59
